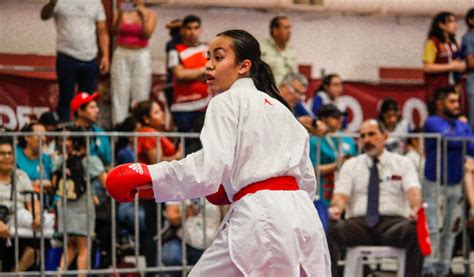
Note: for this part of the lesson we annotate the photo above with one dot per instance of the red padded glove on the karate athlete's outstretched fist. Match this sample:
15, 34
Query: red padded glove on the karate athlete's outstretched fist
125, 180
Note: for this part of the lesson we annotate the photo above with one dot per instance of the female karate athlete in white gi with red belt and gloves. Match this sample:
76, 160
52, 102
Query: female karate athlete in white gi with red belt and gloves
255, 155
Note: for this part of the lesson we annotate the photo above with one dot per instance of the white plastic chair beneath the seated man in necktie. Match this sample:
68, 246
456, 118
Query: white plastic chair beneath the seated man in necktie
355, 258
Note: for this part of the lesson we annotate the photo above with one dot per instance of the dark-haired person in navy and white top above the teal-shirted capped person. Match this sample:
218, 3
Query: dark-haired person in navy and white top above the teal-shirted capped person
328, 93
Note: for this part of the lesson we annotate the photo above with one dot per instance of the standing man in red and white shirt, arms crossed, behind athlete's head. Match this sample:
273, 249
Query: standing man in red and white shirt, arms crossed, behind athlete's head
190, 92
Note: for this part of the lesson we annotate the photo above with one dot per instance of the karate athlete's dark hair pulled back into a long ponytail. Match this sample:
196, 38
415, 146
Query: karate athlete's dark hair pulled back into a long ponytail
246, 47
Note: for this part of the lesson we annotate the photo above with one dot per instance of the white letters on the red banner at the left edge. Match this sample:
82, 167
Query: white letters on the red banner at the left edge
21, 117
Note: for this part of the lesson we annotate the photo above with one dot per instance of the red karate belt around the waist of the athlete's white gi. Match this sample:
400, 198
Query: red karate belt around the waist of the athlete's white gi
276, 183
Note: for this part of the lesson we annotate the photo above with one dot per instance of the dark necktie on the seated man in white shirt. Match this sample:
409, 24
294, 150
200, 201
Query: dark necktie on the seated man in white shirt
373, 216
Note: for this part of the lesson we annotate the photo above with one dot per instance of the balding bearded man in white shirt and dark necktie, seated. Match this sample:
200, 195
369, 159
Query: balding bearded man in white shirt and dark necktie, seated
381, 195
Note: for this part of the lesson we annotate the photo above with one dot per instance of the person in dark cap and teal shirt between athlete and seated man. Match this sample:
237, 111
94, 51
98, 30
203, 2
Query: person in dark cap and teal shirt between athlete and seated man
333, 151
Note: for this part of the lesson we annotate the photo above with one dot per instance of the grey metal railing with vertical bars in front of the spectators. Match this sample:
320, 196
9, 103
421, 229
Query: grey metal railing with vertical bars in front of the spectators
184, 268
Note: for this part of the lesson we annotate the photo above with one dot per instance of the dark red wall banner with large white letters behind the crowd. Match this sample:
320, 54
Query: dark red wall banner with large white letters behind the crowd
24, 97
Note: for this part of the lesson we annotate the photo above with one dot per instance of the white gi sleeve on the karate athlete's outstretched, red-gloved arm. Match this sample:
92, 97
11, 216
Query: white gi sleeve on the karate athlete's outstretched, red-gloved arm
200, 173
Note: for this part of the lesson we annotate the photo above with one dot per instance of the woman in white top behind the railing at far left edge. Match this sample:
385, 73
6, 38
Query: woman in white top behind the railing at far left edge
21, 184
